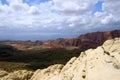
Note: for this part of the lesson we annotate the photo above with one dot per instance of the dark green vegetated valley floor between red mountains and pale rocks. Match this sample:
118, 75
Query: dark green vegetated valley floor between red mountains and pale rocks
12, 59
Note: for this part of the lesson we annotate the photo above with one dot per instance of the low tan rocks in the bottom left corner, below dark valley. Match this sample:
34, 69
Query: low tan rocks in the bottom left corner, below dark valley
16, 75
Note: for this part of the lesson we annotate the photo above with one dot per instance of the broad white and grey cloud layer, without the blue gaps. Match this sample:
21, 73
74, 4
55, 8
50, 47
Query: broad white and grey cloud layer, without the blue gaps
58, 16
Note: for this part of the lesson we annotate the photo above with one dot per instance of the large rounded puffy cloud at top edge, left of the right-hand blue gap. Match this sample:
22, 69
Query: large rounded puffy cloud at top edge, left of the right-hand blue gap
74, 7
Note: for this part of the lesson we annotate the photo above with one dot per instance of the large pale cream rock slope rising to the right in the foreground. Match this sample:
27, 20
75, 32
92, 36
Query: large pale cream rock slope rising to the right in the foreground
102, 63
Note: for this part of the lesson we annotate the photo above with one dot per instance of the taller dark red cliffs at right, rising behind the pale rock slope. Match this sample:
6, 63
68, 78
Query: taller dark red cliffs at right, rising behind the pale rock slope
85, 41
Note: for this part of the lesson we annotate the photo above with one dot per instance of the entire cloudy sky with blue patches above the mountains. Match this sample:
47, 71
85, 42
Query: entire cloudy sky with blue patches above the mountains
50, 19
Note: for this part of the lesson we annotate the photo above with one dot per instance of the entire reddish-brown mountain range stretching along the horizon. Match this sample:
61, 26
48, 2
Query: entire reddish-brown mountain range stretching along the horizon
84, 41
